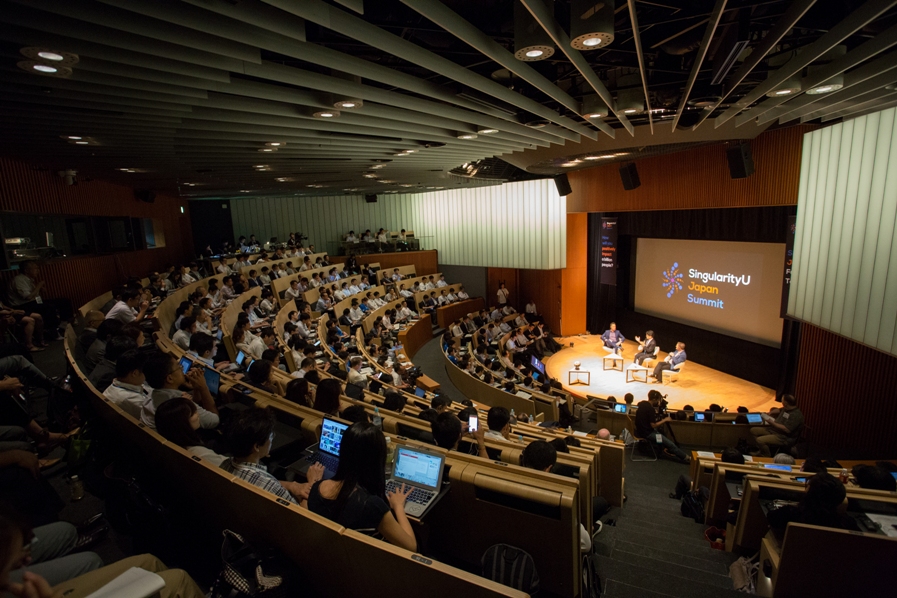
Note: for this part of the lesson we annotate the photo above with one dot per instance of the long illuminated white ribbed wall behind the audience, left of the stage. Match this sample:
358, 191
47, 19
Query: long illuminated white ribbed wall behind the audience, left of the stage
515, 225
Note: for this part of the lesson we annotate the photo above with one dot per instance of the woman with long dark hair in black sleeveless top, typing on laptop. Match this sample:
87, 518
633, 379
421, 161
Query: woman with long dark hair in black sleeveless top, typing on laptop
356, 496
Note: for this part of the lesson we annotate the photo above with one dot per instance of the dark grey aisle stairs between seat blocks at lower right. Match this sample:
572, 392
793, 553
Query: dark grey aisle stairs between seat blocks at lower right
654, 551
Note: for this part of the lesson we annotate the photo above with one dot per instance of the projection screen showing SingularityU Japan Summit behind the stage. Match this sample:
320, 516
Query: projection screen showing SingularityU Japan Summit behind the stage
726, 287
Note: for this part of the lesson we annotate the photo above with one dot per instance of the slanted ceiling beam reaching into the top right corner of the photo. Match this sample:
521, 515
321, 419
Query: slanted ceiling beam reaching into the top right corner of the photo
855, 21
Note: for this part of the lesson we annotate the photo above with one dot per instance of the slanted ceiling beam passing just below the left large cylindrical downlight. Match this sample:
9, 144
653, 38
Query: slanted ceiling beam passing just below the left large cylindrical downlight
463, 30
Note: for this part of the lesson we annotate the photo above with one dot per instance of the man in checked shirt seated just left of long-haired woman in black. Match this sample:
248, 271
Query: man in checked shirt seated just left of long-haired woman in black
250, 438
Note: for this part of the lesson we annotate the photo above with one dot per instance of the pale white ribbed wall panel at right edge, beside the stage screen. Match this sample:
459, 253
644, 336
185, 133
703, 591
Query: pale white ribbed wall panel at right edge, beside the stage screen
845, 254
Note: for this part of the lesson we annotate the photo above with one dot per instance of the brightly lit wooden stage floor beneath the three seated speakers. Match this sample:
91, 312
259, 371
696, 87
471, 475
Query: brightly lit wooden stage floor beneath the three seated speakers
698, 386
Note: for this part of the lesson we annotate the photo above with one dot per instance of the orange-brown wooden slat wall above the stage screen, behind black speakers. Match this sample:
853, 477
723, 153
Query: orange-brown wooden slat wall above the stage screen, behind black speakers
697, 178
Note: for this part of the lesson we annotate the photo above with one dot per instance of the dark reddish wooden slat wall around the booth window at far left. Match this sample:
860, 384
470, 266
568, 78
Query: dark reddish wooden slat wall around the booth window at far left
24, 189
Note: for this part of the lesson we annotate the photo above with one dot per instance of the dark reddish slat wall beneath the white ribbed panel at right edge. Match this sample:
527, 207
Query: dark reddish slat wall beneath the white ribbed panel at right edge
848, 394
